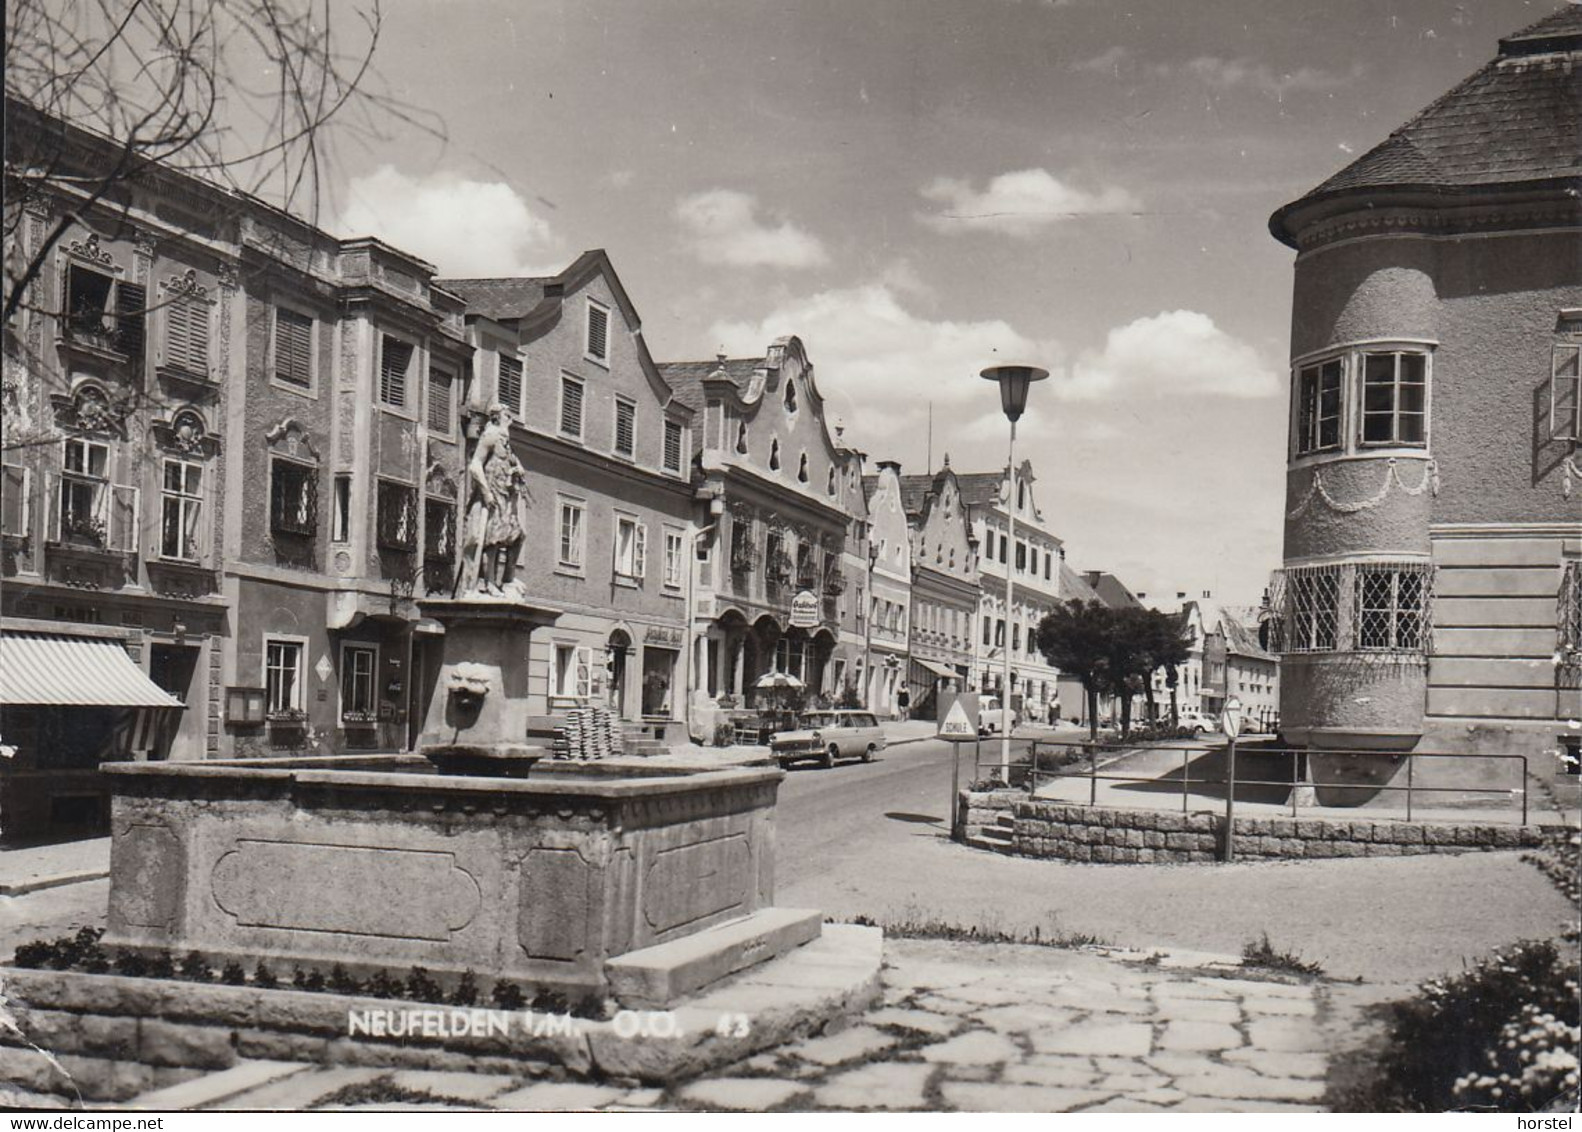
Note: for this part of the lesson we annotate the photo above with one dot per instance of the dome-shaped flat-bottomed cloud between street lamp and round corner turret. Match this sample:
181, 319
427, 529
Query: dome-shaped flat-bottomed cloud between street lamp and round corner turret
1171, 353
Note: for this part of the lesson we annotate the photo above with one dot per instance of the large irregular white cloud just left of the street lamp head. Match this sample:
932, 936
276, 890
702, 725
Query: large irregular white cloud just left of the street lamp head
879, 363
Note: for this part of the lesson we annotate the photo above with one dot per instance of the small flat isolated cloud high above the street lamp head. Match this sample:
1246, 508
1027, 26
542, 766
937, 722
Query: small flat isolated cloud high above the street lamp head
1020, 205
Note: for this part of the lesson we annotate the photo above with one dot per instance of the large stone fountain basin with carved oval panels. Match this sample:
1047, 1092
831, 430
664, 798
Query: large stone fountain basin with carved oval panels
379, 862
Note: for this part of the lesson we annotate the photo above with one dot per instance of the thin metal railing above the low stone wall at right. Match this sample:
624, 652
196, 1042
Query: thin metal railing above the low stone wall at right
1092, 753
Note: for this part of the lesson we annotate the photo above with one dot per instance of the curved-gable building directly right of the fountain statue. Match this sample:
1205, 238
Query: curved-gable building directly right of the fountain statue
608, 459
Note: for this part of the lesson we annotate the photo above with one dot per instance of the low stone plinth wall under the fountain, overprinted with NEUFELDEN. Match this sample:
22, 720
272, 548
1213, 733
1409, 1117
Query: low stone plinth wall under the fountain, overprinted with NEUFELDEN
112, 1038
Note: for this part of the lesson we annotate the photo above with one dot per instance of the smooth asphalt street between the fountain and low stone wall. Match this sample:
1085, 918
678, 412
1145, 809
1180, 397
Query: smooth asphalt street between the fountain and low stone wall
872, 840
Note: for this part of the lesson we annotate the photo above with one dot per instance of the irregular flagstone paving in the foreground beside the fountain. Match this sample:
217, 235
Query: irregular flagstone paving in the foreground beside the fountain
967, 1027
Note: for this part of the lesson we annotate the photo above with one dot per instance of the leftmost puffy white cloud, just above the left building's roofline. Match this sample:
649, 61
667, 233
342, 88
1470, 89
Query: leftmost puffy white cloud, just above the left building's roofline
467, 228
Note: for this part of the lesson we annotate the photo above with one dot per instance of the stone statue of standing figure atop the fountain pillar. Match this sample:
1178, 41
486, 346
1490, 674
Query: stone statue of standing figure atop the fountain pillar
494, 530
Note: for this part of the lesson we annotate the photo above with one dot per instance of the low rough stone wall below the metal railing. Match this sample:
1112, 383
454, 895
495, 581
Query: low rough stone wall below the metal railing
1145, 837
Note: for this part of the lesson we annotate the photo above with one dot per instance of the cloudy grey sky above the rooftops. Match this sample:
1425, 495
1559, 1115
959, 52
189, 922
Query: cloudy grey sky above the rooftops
920, 189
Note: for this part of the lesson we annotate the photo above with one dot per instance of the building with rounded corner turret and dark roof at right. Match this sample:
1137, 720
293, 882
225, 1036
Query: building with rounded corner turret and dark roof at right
1434, 529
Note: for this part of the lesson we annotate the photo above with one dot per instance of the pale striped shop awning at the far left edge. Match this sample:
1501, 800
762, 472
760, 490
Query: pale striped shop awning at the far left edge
48, 670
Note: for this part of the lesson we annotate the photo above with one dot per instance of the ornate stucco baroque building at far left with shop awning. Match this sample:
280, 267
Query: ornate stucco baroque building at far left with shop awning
221, 428
